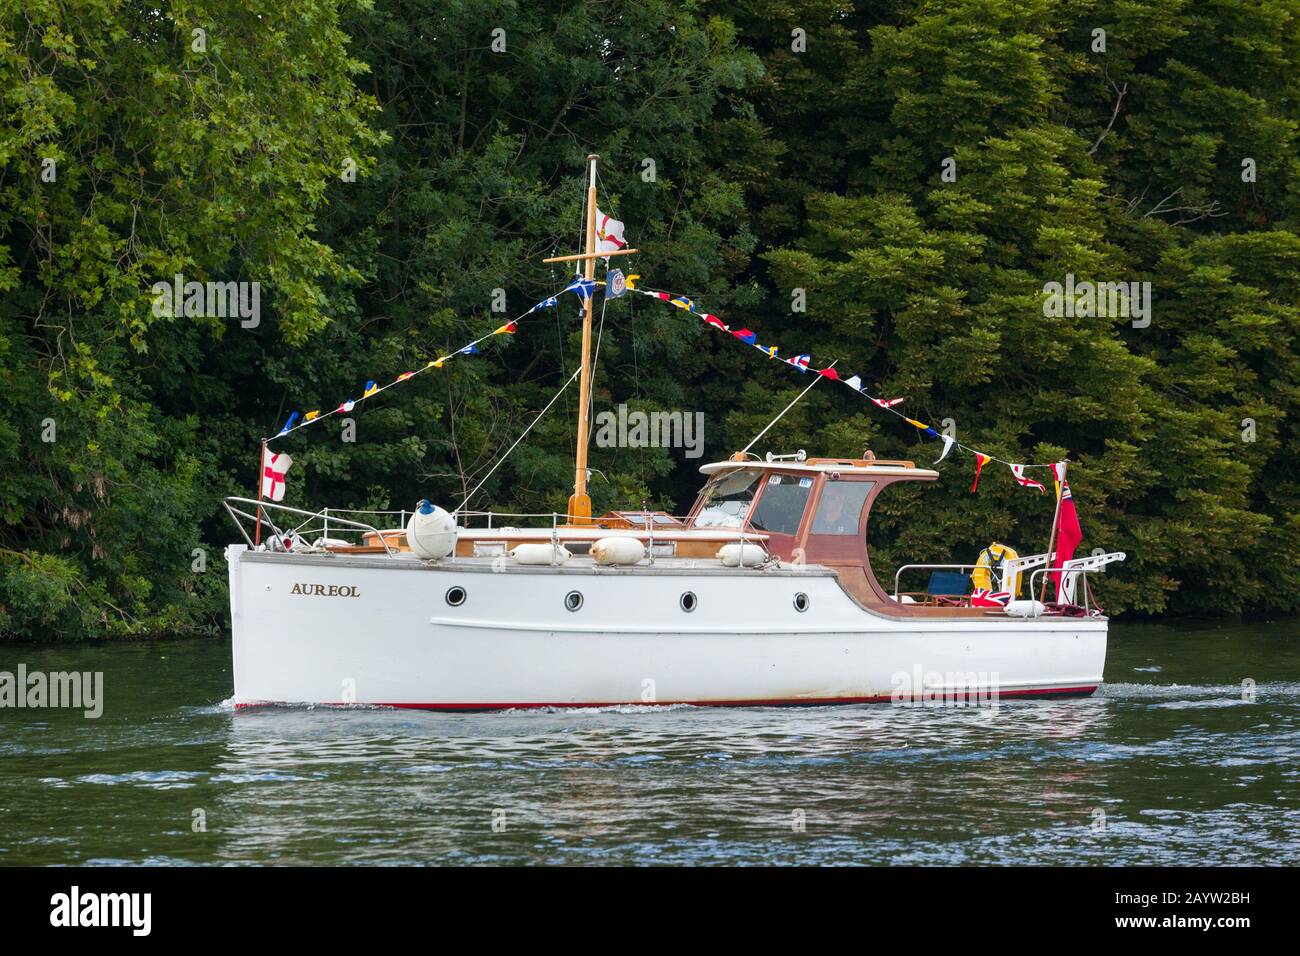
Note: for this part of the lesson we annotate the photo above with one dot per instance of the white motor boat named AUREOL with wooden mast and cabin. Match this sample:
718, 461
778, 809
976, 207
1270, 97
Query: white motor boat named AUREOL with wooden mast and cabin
764, 594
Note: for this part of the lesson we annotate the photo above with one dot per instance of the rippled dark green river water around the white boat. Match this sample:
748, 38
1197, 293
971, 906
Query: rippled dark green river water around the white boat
1171, 763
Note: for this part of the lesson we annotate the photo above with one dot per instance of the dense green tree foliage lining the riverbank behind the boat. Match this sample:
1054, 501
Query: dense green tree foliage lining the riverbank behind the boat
794, 145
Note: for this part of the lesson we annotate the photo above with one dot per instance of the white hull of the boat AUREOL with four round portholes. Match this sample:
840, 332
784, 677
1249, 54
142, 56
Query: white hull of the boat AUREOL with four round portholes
348, 630
